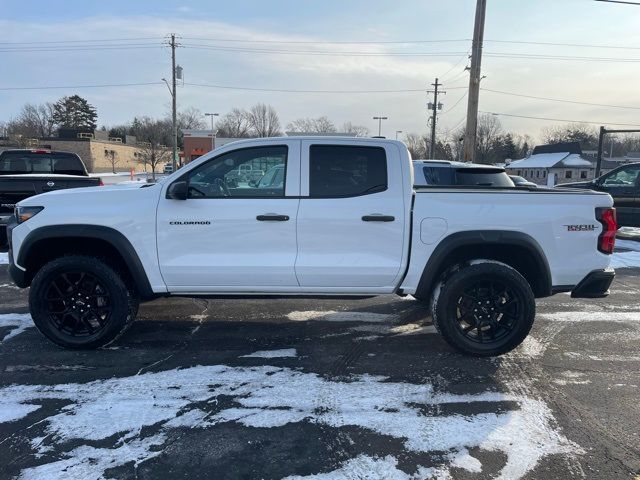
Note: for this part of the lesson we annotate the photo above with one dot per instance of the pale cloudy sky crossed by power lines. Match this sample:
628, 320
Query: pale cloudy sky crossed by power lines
206, 23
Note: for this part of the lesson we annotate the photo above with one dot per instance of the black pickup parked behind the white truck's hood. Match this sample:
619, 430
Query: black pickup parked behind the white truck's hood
24, 173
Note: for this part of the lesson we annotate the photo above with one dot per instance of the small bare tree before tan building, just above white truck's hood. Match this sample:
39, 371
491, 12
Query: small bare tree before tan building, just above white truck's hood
152, 135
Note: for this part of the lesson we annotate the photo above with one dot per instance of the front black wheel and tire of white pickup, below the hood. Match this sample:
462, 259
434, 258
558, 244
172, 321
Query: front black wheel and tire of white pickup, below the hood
80, 302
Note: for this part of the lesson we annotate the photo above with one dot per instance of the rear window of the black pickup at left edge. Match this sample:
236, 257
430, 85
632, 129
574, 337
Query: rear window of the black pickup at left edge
12, 163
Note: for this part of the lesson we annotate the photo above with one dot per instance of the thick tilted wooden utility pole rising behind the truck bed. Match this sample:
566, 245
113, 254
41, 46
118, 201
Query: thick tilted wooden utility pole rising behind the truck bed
474, 83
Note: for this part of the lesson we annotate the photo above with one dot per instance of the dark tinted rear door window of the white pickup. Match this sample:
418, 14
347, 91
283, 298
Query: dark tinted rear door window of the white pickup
346, 171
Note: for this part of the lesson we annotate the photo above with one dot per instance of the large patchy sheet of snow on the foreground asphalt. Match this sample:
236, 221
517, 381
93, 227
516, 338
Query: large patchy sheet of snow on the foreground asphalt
270, 397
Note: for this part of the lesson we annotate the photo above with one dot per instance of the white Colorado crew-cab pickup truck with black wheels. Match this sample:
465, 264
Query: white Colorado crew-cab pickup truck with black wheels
345, 221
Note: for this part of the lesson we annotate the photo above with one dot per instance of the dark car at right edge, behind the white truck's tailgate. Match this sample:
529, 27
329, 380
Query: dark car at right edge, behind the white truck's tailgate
623, 184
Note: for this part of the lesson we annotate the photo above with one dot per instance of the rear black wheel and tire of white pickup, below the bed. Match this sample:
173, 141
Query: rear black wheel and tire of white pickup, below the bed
486, 308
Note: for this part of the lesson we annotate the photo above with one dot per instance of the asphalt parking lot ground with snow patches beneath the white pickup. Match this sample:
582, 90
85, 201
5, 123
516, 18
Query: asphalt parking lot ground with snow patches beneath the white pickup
323, 389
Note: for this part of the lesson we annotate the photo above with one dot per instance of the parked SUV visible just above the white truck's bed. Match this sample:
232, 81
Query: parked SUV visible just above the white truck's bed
450, 173
